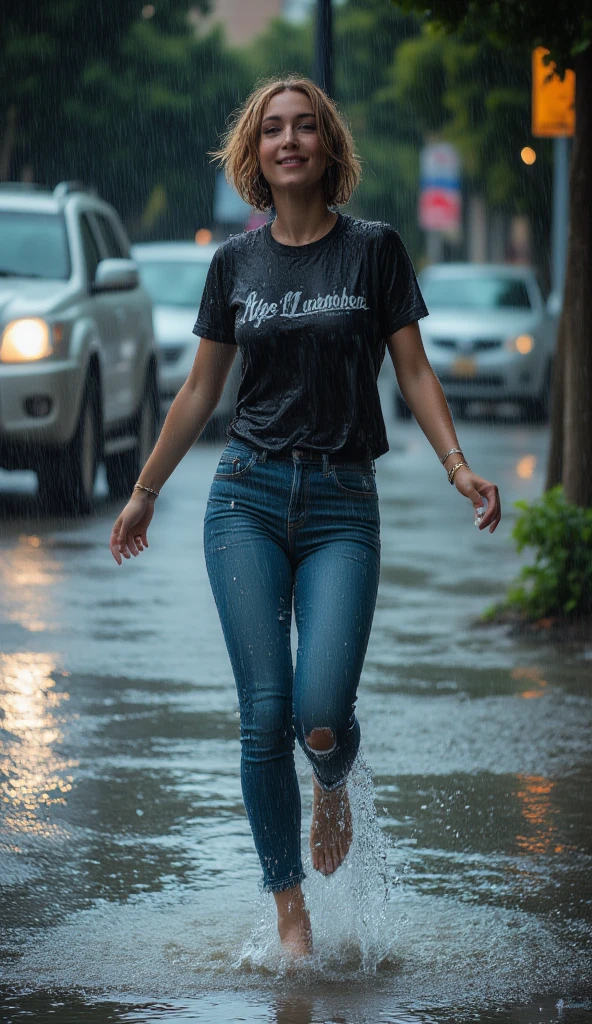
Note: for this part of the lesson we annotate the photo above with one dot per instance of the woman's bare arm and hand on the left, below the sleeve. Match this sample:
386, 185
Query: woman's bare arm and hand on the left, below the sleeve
187, 418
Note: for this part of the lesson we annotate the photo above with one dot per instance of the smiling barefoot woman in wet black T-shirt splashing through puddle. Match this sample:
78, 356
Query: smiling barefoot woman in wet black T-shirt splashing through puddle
312, 301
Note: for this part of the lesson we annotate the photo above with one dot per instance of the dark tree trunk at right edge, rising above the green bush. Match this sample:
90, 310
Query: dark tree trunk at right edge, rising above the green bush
577, 316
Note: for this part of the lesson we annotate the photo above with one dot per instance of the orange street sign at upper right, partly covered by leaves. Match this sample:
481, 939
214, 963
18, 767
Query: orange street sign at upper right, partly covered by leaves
554, 100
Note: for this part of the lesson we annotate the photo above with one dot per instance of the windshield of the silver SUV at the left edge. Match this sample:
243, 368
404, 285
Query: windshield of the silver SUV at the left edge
33, 245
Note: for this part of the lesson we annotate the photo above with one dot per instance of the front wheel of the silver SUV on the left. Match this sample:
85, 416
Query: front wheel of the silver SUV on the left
67, 478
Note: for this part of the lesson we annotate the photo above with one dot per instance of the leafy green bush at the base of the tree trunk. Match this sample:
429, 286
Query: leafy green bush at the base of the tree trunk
561, 580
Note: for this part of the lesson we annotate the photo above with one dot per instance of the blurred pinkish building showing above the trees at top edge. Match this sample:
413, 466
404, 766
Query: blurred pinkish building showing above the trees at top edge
244, 20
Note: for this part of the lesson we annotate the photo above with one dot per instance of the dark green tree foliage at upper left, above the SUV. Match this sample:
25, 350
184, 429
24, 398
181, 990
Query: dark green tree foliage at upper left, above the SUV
128, 104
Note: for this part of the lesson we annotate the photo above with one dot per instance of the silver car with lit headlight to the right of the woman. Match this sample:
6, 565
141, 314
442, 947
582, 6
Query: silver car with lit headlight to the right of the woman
489, 336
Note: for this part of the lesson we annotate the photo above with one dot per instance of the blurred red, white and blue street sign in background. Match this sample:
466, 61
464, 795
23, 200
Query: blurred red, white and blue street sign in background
440, 199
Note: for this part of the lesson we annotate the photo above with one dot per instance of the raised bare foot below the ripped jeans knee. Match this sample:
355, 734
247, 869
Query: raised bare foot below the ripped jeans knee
331, 831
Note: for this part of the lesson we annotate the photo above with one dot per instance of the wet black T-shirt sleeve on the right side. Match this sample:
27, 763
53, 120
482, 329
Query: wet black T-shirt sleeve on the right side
401, 300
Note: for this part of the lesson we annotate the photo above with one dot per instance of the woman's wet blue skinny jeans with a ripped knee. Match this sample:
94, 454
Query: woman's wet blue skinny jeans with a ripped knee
279, 532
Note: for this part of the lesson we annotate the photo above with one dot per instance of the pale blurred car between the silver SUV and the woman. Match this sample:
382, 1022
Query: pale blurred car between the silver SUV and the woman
175, 275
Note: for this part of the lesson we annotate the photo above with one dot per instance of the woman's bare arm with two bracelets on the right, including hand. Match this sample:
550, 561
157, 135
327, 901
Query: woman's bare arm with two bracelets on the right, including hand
422, 392
